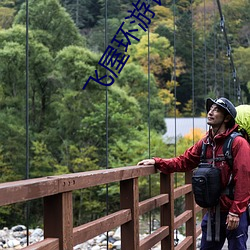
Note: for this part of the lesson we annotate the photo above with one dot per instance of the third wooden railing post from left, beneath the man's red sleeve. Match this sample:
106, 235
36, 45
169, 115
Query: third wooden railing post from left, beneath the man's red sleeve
167, 210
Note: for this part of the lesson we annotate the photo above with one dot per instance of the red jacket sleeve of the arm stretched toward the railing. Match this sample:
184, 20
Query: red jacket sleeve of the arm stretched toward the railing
183, 163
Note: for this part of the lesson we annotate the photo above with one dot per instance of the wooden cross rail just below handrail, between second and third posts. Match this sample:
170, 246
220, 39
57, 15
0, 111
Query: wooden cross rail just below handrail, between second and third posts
152, 203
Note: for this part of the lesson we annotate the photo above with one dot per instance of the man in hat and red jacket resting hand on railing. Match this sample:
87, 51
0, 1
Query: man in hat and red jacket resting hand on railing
221, 115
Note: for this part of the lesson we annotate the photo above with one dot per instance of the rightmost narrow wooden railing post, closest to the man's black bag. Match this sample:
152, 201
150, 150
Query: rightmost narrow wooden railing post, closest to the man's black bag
190, 205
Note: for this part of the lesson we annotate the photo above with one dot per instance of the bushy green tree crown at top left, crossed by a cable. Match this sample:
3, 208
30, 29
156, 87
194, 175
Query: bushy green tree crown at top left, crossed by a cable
53, 25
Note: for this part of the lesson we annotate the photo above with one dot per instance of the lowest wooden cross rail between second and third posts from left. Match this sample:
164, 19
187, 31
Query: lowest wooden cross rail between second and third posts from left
154, 238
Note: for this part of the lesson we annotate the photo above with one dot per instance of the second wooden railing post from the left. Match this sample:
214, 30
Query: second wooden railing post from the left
129, 197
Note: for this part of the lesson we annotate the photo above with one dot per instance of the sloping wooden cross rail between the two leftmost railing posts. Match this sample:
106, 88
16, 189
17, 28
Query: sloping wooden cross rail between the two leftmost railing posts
90, 230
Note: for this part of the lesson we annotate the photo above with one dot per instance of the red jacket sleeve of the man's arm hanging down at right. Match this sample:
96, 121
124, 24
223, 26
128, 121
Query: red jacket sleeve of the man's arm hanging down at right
241, 175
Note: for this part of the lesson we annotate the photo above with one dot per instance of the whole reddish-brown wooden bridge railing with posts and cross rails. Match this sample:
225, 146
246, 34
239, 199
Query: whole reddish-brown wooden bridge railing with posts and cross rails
59, 232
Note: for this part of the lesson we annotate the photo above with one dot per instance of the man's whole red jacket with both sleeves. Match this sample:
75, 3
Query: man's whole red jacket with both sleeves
241, 167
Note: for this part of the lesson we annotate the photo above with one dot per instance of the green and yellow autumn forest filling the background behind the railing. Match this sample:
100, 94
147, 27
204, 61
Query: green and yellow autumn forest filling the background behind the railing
174, 65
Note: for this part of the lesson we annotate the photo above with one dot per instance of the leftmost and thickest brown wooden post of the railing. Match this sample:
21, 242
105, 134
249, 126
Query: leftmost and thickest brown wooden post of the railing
58, 219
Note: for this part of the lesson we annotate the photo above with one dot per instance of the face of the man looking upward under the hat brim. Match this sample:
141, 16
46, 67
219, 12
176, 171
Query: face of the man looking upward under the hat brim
215, 116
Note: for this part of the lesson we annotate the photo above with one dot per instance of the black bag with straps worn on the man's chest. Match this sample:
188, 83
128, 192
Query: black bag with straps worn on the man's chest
206, 179
